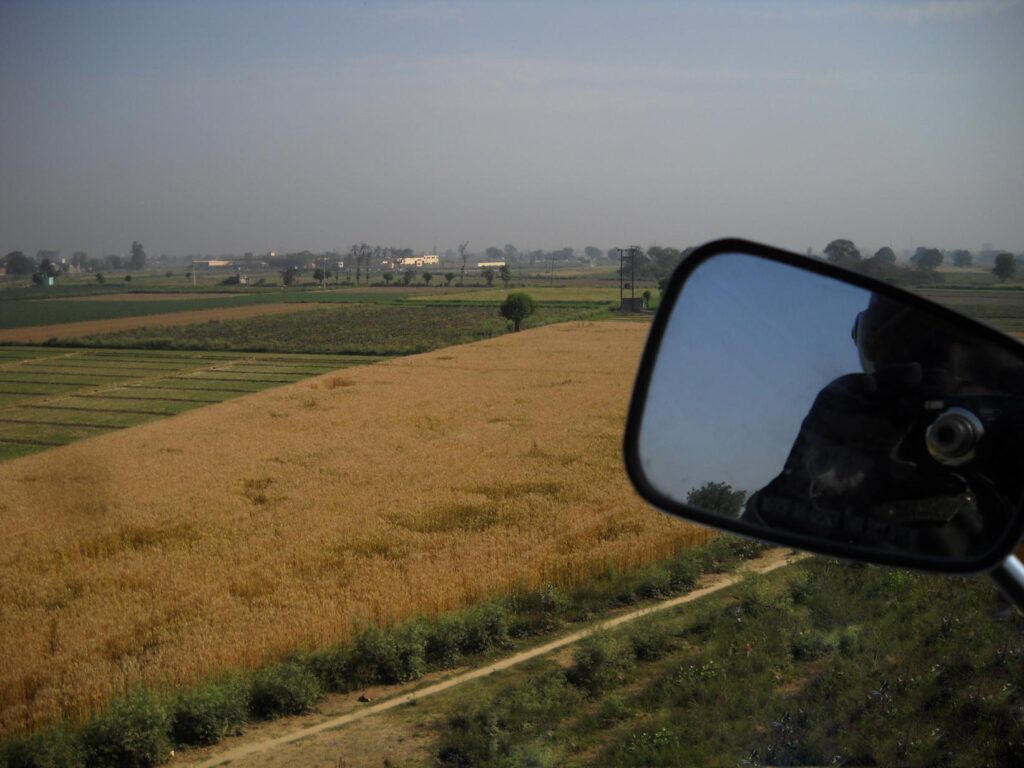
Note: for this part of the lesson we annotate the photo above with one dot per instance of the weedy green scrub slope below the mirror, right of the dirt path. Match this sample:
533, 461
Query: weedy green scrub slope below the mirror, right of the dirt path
822, 664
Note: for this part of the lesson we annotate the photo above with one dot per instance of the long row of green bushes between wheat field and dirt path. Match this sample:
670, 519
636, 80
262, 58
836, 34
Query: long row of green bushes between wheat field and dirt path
143, 727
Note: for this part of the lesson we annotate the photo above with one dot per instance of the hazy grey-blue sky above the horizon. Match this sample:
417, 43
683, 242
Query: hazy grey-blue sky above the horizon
232, 126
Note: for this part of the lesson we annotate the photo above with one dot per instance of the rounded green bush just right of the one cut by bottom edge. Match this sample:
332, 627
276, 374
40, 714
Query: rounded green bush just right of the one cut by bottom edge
207, 714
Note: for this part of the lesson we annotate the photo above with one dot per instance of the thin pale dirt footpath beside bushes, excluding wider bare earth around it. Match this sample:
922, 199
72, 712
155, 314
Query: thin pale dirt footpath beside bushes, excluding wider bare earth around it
770, 562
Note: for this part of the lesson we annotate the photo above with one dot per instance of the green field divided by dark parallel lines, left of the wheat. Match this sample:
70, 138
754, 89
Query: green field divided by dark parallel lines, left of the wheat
50, 398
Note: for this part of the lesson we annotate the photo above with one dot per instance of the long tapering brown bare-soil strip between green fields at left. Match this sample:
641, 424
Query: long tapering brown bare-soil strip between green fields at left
39, 334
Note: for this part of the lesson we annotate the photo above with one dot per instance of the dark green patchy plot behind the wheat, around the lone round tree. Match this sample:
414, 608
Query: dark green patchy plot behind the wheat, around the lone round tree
346, 329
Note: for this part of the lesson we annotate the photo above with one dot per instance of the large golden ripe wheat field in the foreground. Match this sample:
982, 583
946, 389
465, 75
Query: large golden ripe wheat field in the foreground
282, 521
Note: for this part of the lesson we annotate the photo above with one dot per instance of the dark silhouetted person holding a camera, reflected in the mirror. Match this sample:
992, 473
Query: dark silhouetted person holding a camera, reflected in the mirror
861, 473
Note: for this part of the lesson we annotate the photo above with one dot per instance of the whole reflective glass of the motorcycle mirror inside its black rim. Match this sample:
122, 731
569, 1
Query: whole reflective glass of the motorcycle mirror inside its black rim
799, 404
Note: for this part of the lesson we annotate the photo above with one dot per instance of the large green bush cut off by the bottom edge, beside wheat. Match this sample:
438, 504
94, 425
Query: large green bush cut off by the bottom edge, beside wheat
133, 734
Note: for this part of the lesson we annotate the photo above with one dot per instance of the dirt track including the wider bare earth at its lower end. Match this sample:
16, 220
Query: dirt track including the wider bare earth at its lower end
252, 748
